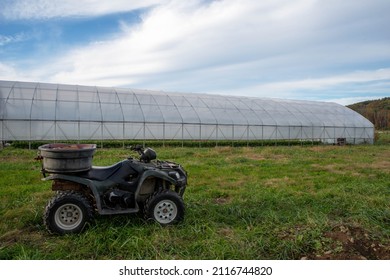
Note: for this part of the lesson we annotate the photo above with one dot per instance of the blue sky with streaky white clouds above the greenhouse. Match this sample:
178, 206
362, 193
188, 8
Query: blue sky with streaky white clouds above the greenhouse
321, 50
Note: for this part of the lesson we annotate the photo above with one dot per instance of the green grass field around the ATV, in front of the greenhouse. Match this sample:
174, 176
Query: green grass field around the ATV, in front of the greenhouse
313, 202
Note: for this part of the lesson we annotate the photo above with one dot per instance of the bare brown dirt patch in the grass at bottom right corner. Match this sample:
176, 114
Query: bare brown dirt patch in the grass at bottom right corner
352, 243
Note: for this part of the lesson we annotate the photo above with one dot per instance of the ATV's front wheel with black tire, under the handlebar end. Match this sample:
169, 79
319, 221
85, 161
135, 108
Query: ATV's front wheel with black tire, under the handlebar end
165, 207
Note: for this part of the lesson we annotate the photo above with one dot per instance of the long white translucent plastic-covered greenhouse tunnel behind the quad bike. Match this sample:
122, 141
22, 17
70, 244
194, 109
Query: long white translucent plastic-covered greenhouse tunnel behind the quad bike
40, 111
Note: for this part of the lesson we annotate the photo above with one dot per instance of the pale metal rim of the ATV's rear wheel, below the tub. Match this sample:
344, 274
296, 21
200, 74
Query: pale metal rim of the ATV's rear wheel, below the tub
68, 216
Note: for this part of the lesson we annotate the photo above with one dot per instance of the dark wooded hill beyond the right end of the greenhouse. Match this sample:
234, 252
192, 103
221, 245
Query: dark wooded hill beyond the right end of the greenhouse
377, 111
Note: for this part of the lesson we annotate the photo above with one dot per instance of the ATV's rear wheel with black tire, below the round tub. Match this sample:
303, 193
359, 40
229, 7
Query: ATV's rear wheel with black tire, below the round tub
67, 212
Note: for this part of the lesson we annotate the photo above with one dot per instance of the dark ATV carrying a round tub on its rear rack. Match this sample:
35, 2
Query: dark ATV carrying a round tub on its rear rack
145, 185
